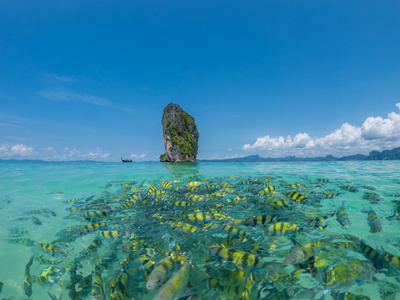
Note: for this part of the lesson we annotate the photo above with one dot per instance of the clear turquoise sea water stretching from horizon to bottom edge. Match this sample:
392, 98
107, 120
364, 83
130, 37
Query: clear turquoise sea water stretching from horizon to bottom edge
34, 210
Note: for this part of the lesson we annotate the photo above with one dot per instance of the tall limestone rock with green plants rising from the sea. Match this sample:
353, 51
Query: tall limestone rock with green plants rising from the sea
180, 135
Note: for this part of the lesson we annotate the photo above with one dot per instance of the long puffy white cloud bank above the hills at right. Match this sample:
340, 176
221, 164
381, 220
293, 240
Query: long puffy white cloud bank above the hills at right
375, 133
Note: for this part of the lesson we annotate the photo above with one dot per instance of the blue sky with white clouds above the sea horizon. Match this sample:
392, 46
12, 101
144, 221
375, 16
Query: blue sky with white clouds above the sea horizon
90, 79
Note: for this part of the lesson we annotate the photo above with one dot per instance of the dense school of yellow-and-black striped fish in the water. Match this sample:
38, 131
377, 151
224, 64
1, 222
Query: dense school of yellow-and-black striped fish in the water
216, 238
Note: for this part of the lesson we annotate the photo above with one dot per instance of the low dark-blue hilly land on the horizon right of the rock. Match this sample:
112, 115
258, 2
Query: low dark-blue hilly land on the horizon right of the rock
393, 154
